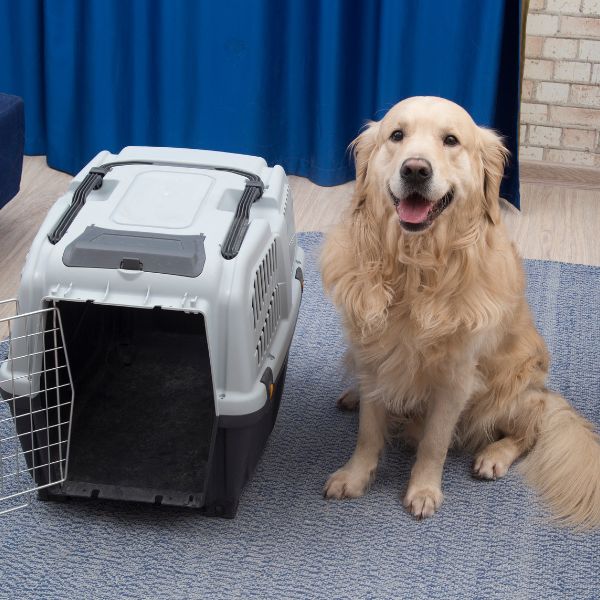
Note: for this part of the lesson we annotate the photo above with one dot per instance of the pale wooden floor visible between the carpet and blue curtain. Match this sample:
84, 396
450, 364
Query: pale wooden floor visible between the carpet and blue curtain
560, 218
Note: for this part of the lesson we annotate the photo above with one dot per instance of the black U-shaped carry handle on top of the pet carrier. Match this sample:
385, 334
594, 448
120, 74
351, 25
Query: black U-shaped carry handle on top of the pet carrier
237, 231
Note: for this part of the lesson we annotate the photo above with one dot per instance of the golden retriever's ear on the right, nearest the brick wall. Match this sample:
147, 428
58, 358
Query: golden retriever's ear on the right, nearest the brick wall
493, 156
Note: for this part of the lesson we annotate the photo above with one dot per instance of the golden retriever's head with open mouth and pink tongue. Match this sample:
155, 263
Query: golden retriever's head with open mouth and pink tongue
429, 161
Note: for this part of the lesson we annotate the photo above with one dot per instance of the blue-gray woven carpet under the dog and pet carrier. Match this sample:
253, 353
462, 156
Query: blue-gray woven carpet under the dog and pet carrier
489, 540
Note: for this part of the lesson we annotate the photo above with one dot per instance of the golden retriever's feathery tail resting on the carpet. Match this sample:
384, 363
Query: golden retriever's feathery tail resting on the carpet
564, 465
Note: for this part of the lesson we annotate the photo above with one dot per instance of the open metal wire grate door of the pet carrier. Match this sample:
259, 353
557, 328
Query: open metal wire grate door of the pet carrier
35, 405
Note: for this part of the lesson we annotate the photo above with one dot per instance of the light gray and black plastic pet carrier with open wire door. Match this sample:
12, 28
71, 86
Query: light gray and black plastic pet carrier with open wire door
147, 349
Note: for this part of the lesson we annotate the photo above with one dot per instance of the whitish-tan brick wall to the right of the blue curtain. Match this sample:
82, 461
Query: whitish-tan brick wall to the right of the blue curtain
560, 108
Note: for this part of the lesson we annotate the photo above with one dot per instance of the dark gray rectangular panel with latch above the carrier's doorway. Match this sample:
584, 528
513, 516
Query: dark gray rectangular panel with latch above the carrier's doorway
101, 248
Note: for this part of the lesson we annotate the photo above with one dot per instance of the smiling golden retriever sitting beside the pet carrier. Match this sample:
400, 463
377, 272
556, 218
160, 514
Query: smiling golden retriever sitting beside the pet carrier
441, 339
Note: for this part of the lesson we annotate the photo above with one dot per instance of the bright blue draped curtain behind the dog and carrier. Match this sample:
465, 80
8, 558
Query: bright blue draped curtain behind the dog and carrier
290, 80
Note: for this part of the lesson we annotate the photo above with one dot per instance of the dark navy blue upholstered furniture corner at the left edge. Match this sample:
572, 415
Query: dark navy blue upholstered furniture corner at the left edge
12, 137
